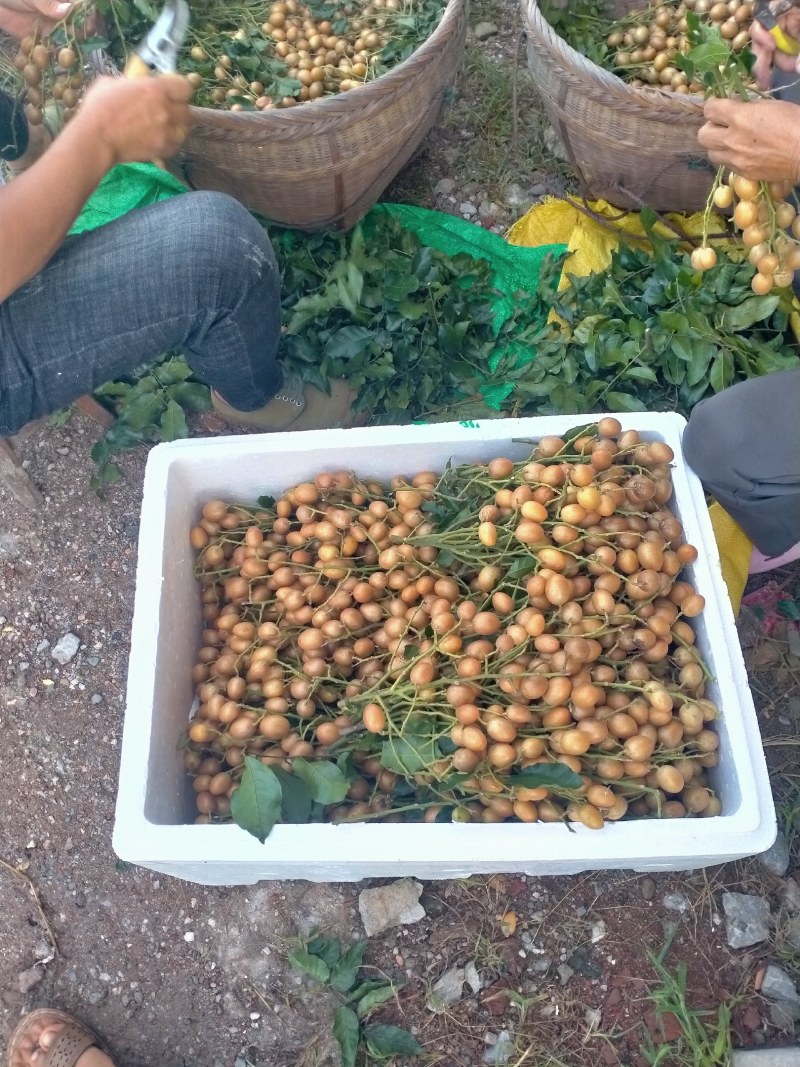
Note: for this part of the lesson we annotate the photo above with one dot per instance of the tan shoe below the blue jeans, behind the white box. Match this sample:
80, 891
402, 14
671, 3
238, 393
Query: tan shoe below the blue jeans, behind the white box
297, 406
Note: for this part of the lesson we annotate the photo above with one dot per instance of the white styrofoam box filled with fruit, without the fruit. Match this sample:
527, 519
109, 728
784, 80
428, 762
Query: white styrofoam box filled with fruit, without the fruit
155, 809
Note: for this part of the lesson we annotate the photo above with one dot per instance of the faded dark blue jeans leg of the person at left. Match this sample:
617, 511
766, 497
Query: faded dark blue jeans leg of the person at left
195, 275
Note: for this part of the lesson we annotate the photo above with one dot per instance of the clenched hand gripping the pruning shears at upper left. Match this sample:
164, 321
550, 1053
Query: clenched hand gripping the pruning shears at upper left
138, 120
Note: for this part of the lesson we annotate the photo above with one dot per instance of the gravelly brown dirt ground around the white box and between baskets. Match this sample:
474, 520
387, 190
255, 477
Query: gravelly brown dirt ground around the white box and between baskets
178, 975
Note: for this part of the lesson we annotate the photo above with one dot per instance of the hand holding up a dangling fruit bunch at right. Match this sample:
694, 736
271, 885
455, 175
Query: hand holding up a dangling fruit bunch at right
759, 139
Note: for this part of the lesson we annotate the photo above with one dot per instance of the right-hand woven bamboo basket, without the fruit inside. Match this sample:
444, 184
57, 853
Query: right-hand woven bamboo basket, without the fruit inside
631, 147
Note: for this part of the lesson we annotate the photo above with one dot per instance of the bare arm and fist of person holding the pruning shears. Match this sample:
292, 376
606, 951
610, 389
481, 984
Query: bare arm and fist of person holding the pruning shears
119, 121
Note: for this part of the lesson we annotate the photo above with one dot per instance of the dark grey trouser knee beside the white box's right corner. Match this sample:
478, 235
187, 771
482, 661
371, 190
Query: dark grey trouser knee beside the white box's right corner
745, 447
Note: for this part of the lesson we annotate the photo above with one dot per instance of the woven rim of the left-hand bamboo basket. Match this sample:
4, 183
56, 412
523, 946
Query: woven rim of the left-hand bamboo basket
341, 105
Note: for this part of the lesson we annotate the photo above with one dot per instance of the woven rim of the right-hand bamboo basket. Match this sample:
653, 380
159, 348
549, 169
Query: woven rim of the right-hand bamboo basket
543, 38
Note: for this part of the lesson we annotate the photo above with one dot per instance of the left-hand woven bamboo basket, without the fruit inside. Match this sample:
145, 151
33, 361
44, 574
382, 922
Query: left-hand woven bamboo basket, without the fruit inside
325, 165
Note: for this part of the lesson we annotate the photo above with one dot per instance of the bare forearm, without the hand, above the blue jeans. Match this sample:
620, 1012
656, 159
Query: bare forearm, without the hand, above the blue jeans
39, 208
